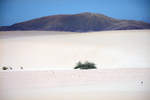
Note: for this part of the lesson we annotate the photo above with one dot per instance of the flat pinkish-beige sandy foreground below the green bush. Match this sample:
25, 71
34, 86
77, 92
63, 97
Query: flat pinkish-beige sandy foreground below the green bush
104, 84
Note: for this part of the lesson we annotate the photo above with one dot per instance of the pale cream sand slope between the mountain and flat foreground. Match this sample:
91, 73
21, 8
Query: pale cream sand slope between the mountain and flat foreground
45, 49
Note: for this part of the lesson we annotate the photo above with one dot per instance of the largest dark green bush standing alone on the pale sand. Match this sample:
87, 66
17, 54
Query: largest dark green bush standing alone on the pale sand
86, 65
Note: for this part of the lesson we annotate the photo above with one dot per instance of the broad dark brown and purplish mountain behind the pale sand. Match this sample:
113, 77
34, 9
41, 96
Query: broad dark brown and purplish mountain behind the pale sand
82, 22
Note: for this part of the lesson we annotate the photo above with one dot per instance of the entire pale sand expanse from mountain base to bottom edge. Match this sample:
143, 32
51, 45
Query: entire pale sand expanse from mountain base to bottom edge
122, 58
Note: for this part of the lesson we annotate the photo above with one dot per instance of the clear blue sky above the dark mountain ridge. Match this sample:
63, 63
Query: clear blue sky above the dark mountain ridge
14, 11
